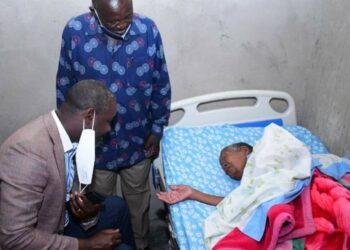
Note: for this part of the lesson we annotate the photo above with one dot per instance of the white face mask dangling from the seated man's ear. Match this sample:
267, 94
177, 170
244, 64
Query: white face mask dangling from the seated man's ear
85, 156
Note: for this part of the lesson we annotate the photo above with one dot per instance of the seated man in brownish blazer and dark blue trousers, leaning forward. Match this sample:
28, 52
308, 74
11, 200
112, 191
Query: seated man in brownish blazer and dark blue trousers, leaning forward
36, 179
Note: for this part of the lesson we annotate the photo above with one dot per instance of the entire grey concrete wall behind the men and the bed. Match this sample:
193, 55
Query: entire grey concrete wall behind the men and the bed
298, 46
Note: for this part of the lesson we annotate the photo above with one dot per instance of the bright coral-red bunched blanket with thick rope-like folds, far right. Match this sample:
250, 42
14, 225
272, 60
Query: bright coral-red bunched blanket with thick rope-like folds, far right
331, 213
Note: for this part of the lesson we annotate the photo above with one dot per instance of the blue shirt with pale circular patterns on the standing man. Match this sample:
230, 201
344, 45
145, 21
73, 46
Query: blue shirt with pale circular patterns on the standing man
134, 70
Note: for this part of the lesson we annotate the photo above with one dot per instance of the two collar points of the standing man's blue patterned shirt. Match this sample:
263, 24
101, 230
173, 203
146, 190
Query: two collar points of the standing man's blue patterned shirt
94, 27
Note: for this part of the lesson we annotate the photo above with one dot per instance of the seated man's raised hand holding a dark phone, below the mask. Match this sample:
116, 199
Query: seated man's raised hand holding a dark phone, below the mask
82, 208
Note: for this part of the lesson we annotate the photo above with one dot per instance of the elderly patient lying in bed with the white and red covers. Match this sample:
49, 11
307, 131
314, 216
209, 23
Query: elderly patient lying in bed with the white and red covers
280, 171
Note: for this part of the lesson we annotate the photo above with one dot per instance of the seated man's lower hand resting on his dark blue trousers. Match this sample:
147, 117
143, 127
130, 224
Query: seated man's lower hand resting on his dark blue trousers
104, 240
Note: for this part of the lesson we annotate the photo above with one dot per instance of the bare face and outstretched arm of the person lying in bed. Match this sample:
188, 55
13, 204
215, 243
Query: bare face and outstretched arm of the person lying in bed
233, 159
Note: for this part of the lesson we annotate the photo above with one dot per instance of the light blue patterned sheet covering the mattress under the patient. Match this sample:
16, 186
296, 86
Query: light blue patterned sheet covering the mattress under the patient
191, 157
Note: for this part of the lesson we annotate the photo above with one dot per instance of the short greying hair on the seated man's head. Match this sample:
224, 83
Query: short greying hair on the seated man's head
89, 94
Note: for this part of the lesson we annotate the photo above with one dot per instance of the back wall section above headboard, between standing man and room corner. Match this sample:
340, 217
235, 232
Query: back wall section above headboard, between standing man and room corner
235, 44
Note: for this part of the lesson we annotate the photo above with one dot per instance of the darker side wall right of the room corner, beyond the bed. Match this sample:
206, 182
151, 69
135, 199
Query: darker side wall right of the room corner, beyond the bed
326, 110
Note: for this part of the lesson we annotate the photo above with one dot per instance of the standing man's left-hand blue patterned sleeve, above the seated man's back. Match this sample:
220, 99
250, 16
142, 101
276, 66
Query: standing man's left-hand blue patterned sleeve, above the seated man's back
65, 74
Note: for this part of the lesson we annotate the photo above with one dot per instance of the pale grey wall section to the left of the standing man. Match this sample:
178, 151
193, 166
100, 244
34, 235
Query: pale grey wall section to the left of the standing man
30, 40
